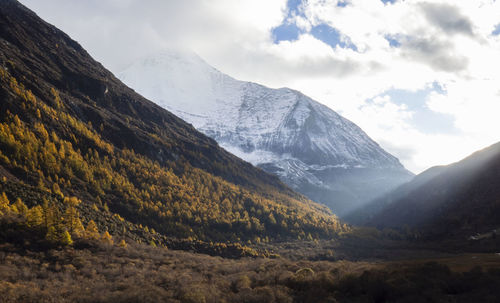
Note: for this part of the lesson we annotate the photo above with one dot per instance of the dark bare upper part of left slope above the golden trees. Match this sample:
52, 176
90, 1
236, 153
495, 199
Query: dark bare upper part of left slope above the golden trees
42, 57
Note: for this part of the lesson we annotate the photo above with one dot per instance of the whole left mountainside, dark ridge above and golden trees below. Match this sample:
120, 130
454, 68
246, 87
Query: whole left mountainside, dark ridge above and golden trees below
69, 126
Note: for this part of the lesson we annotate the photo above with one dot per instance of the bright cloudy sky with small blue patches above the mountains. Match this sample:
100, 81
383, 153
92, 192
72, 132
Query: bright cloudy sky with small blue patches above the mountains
422, 78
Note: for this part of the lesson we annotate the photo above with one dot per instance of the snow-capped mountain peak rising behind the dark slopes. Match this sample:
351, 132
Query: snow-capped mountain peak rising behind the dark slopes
309, 146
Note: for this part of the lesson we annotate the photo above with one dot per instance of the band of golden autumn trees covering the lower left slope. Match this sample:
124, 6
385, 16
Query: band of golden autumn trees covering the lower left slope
57, 152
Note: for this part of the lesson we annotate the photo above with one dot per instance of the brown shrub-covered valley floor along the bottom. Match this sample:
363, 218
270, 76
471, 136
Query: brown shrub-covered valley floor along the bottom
96, 272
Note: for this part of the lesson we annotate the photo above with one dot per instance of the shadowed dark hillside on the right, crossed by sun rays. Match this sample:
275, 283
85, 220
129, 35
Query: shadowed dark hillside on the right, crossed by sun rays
454, 201
